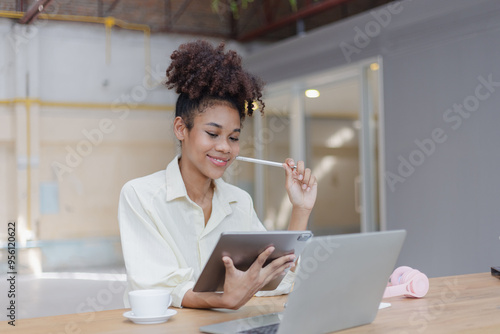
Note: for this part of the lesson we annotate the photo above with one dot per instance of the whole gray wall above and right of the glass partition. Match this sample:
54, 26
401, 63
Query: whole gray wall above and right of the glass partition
436, 57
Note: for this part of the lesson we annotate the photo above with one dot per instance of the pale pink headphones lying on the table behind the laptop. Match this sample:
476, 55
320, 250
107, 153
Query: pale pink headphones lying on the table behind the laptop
408, 282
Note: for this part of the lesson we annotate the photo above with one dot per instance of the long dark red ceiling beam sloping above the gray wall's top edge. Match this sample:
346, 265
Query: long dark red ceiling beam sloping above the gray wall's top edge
308, 10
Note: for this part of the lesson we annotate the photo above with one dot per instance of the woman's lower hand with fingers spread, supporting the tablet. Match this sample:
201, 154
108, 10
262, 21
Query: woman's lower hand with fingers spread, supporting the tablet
240, 286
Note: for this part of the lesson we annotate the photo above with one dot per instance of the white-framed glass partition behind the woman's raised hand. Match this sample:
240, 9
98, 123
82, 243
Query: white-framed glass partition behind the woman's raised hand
338, 127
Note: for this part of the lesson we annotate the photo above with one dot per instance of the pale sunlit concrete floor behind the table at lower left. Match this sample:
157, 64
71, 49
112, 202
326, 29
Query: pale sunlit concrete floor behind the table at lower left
56, 293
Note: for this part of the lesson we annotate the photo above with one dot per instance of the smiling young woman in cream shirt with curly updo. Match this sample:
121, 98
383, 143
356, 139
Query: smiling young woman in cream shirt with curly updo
171, 220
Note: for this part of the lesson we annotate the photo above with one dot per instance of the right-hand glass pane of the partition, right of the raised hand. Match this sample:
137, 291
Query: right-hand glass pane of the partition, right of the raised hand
332, 136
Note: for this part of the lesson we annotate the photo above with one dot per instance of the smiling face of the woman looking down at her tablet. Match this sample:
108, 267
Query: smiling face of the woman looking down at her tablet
212, 143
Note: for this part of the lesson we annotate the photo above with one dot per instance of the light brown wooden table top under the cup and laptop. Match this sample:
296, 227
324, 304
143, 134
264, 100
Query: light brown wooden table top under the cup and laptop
466, 303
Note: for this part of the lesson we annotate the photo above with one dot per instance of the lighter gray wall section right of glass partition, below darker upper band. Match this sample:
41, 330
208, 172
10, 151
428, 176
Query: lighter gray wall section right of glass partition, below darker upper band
449, 202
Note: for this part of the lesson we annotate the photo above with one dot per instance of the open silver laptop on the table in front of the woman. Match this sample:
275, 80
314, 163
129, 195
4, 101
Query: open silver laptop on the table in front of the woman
339, 284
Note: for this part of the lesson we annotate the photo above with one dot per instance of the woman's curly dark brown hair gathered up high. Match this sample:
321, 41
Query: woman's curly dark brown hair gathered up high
204, 75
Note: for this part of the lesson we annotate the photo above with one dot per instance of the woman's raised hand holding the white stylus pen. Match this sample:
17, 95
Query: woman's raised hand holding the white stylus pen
300, 184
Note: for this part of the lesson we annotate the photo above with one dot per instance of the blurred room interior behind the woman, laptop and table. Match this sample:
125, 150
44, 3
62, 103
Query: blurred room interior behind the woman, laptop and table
393, 104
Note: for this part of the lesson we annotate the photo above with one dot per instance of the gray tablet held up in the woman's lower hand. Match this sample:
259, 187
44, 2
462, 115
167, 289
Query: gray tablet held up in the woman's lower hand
244, 248
